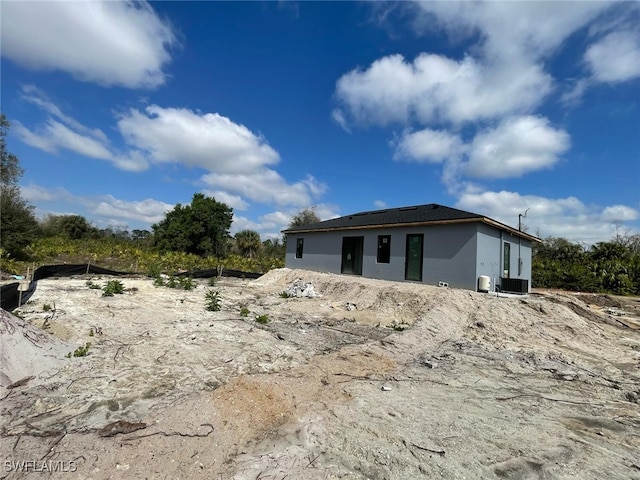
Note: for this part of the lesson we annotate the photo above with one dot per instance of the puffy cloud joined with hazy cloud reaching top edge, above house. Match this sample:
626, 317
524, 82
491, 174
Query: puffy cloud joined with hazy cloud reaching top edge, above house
503, 75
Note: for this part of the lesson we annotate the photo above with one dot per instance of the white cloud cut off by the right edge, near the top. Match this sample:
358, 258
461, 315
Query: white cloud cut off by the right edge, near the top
615, 58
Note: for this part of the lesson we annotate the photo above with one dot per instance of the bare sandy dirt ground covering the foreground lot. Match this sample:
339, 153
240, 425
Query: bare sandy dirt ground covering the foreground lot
369, 380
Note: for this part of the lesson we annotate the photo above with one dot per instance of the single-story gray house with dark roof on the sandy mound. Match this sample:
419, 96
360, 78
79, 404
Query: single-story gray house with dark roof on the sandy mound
431, 244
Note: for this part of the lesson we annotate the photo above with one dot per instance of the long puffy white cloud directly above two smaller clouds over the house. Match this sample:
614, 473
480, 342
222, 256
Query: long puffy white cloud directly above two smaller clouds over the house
435, 89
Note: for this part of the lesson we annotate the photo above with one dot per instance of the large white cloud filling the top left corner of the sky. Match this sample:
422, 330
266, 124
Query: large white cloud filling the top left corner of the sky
106, 42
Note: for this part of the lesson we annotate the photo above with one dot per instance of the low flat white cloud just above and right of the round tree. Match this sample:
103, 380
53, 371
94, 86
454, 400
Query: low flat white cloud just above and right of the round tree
266, 186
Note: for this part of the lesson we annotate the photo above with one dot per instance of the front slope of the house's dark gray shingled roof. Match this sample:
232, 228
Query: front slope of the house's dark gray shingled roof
392, 216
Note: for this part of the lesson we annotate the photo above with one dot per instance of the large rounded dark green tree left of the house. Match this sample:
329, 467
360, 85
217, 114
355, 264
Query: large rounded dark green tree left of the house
201, 228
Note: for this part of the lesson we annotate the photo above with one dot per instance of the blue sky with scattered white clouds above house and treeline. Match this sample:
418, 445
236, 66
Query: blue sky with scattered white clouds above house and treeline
120, 110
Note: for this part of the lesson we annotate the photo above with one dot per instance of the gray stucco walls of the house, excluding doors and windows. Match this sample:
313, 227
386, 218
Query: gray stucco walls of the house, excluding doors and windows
457, 254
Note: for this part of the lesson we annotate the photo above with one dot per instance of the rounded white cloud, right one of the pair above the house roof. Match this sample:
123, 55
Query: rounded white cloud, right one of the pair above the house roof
517, 146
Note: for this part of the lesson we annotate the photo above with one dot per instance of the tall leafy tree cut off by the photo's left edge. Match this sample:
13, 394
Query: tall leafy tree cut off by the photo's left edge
18, 224
